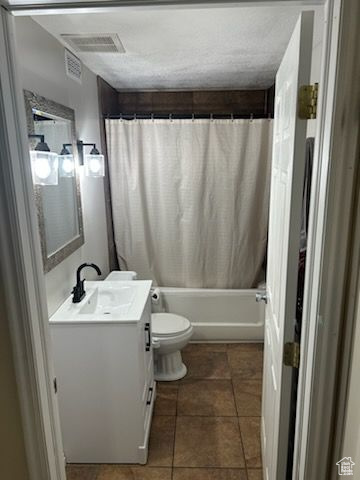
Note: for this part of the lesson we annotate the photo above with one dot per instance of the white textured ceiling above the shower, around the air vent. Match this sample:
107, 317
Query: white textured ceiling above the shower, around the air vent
177, 48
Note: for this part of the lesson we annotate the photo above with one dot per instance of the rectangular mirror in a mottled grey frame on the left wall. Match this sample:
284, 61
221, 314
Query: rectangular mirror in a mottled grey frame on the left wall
58, 206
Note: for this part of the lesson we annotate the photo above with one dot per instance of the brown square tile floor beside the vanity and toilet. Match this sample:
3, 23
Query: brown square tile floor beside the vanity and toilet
205, 426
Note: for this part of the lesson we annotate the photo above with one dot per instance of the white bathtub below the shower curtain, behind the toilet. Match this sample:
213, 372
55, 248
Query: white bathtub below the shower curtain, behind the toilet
217, 315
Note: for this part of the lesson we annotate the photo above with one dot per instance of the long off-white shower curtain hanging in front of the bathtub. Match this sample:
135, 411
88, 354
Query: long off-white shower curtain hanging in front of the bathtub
190, 199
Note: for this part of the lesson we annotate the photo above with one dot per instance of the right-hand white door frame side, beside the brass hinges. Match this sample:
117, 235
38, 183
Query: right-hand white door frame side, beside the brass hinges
330, 283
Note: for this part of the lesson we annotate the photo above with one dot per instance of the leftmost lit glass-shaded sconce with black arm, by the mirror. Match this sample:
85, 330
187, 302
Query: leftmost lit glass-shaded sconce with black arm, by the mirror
44, 163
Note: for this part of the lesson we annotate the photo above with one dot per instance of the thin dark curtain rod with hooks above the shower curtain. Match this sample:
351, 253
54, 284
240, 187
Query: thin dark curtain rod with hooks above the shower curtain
181, 116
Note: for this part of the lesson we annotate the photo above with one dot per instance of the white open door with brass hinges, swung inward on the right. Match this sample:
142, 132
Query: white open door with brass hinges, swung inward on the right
287, 177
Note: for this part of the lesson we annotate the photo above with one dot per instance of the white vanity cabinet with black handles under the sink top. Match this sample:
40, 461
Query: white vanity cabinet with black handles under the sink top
106, 387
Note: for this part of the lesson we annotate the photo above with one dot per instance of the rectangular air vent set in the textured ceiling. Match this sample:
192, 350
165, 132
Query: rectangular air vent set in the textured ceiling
94, 43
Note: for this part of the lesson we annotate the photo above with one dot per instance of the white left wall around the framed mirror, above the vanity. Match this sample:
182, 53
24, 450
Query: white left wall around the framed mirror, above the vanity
41, 59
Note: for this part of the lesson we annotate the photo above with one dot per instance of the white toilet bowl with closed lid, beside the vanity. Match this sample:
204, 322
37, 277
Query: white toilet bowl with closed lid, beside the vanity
170, 334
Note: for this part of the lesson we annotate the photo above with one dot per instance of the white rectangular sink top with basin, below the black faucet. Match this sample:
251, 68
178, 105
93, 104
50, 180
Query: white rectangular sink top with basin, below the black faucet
118, 301
